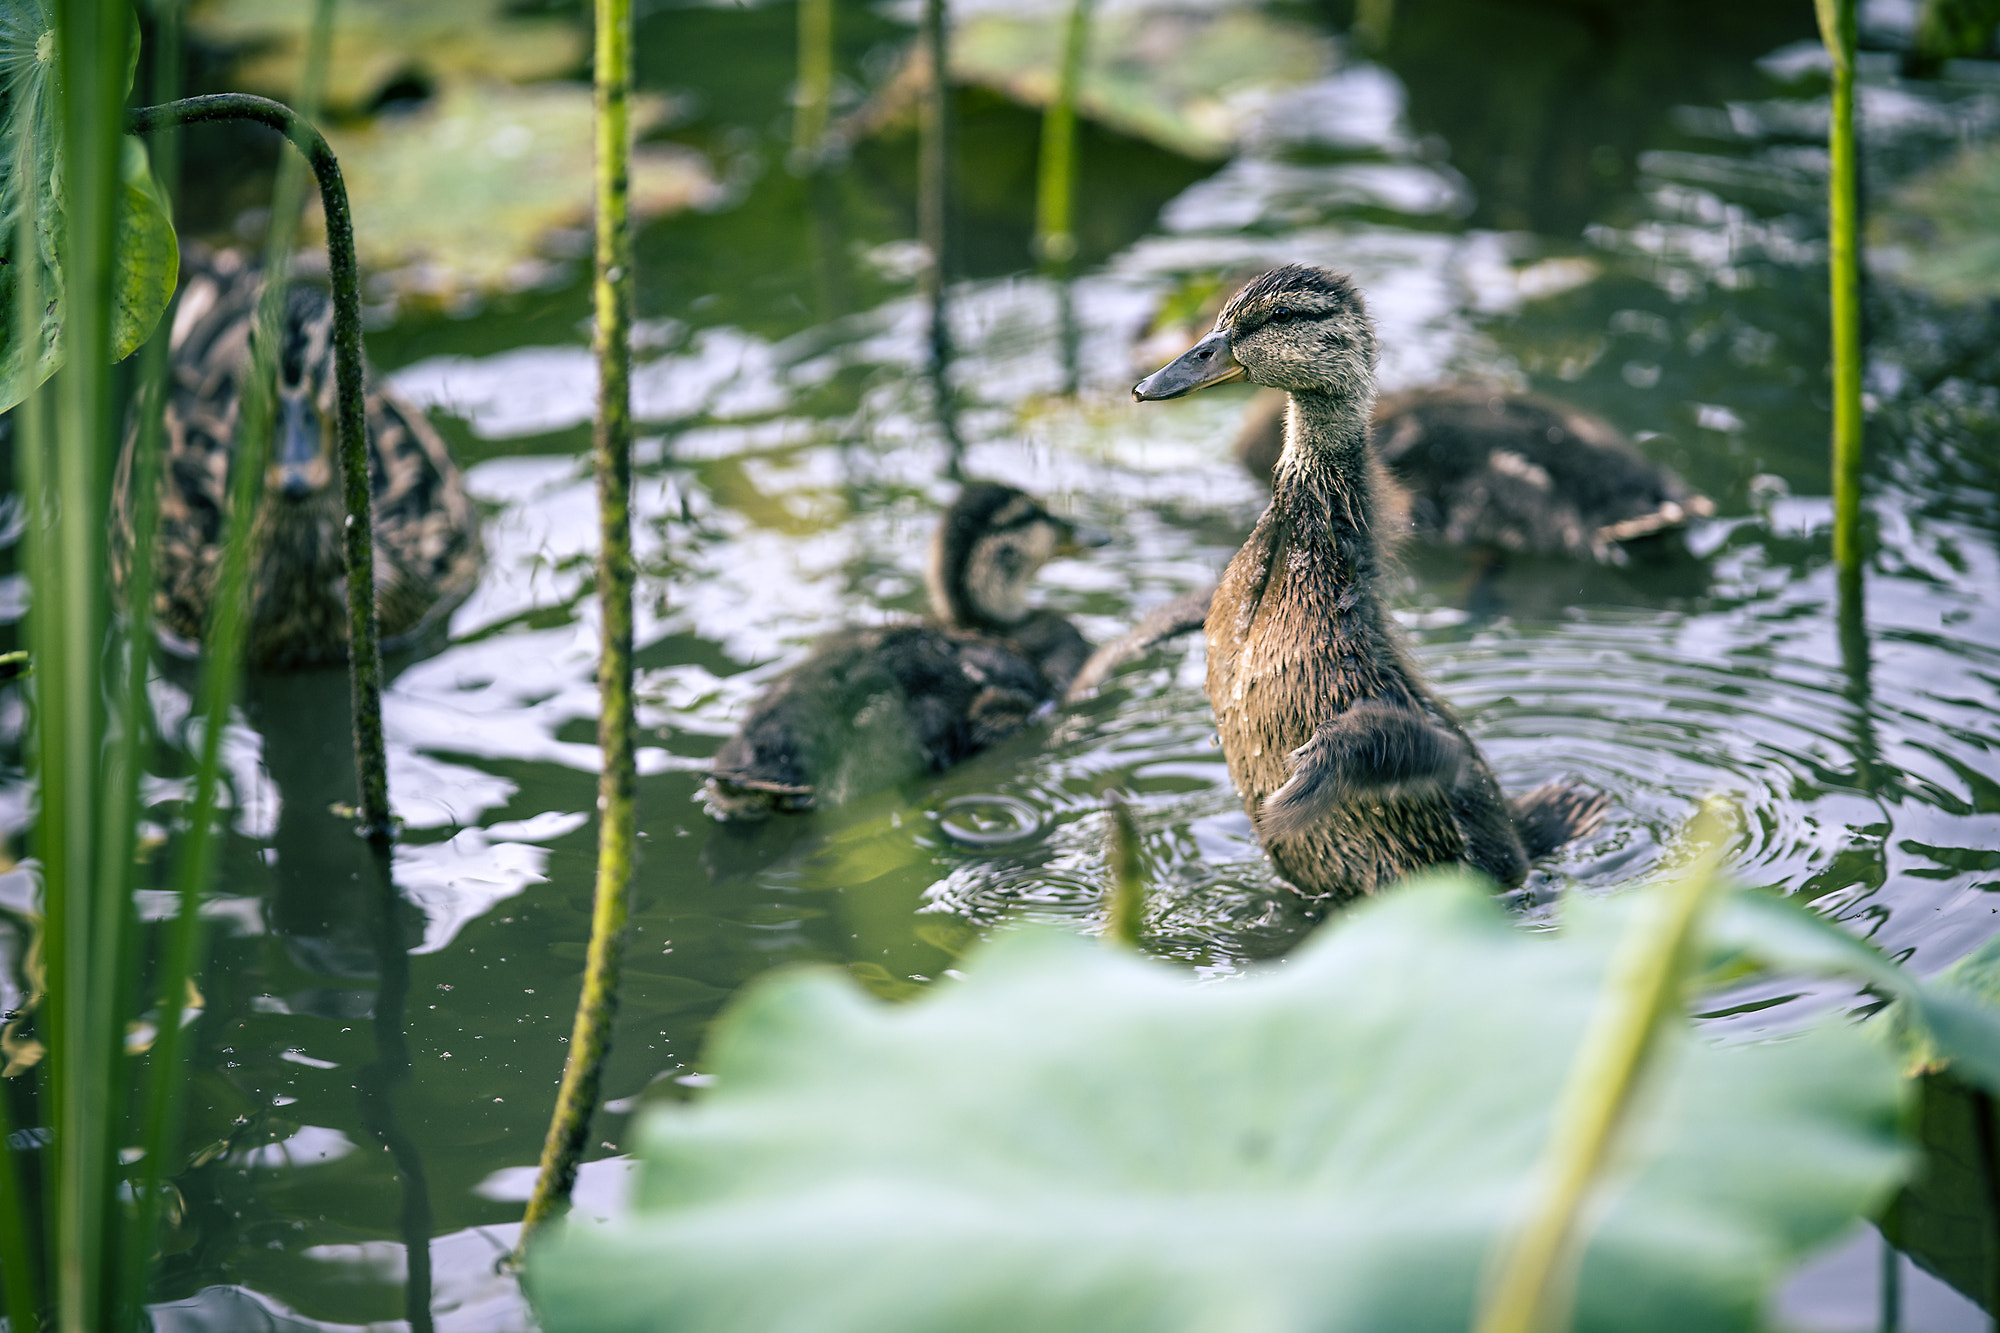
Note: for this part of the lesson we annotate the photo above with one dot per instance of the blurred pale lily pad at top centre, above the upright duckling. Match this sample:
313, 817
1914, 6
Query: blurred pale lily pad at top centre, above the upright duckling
1179, 79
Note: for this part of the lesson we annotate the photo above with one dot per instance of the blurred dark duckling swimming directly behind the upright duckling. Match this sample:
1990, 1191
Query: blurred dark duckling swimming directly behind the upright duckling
1505, 471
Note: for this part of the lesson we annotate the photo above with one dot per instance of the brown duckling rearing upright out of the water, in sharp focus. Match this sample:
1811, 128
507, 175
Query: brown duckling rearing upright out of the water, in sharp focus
1353, 770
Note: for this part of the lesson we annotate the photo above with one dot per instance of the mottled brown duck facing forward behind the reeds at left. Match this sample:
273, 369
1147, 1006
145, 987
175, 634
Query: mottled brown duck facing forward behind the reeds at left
427, 541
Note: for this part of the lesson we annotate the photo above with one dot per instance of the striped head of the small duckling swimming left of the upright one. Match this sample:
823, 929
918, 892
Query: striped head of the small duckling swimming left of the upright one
987, 553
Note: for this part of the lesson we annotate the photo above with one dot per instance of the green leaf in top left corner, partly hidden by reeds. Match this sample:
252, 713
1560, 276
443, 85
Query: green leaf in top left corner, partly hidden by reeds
31, 155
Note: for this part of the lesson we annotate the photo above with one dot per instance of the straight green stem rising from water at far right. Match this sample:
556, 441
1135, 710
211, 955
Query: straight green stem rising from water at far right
1843, 217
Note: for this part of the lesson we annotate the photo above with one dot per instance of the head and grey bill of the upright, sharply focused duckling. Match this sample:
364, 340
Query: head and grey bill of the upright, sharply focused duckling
1299, 329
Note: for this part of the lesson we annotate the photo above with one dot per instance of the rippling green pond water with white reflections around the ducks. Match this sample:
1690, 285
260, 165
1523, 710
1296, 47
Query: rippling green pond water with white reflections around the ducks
1647, 245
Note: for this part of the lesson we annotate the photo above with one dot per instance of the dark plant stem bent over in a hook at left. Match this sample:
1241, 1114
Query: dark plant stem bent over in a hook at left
365, 647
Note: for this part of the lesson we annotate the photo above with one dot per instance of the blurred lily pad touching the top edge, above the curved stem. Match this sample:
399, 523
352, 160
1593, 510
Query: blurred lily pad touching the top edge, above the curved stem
383, 41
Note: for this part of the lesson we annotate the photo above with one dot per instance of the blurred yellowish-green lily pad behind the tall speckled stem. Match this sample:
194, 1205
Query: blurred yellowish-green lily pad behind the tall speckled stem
467, 193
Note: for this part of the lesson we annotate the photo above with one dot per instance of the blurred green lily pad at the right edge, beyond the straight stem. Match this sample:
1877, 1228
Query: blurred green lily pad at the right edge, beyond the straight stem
1939, 231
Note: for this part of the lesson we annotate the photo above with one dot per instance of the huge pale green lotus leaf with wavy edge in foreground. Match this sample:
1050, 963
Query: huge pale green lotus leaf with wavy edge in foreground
1073, 1138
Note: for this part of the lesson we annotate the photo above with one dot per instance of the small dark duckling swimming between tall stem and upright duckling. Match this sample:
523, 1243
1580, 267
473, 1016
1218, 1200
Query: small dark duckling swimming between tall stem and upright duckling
879, 706
